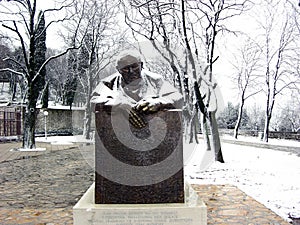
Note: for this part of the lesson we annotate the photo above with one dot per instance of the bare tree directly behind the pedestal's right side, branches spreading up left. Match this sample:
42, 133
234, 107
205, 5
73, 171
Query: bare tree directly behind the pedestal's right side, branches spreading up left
161, 24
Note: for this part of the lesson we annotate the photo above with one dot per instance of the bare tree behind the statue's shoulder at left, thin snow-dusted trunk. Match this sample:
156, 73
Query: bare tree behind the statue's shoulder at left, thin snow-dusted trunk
101, 39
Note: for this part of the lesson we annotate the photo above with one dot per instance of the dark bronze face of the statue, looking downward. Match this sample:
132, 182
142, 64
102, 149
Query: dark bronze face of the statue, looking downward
131, 72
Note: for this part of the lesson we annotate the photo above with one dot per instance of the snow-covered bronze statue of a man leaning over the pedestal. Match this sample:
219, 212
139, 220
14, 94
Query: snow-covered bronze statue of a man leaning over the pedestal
136, 90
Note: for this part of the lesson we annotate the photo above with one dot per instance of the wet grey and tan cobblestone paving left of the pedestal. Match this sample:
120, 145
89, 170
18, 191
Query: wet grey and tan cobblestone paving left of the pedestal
43, 189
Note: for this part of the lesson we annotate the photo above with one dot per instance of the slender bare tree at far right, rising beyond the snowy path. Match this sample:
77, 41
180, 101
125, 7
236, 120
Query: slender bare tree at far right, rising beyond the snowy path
279, 35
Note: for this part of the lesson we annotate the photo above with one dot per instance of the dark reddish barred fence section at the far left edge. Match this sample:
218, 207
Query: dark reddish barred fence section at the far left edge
10, 121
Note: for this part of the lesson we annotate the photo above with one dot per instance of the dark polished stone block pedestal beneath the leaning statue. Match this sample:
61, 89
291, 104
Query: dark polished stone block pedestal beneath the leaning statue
138, 166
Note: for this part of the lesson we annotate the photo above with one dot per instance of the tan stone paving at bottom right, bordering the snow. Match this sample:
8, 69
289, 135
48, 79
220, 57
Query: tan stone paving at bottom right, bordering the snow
235, 207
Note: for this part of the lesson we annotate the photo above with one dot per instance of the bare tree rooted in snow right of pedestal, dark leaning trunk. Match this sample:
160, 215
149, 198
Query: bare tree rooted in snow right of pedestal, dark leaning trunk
214, 15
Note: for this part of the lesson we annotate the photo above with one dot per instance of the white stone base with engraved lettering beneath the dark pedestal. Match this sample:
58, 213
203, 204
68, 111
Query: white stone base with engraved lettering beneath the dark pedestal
193, 212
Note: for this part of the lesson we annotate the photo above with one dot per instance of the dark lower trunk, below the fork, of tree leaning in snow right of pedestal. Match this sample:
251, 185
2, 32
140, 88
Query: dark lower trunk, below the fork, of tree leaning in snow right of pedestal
216, 142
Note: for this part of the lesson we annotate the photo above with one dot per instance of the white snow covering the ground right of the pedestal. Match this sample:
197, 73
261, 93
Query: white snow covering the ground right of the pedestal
271, 177
